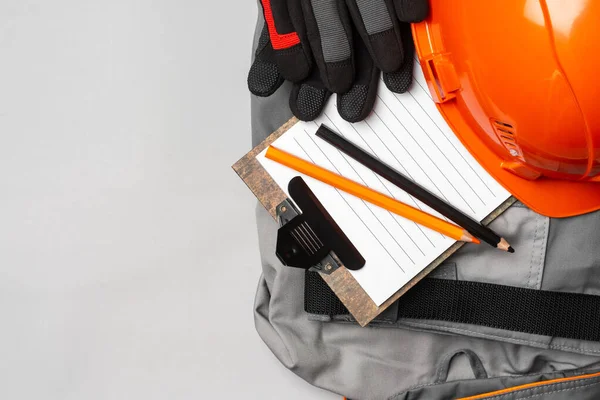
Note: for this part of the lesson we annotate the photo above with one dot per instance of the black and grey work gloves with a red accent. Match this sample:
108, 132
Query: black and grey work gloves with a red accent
335, 46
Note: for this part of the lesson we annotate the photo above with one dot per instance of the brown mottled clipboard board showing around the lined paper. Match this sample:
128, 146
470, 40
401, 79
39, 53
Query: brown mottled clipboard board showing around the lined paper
343, 284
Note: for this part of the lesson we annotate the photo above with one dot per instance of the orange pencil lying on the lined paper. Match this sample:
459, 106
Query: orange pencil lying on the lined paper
370, 195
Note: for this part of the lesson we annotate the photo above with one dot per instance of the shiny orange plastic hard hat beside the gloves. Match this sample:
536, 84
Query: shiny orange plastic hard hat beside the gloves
518, 83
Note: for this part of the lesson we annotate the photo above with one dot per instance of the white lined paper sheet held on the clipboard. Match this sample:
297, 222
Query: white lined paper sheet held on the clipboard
408, 133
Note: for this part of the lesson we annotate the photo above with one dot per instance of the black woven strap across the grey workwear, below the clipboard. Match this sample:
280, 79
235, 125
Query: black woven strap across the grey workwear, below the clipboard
540, 312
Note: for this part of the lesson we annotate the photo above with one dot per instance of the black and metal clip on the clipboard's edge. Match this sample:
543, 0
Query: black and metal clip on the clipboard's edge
311, 239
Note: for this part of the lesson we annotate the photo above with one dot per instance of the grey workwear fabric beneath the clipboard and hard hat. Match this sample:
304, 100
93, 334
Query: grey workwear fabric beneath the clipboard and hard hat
418, 359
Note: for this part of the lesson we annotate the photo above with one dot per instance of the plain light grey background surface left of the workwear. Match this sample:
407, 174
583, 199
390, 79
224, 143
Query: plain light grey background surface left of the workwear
128, 251
